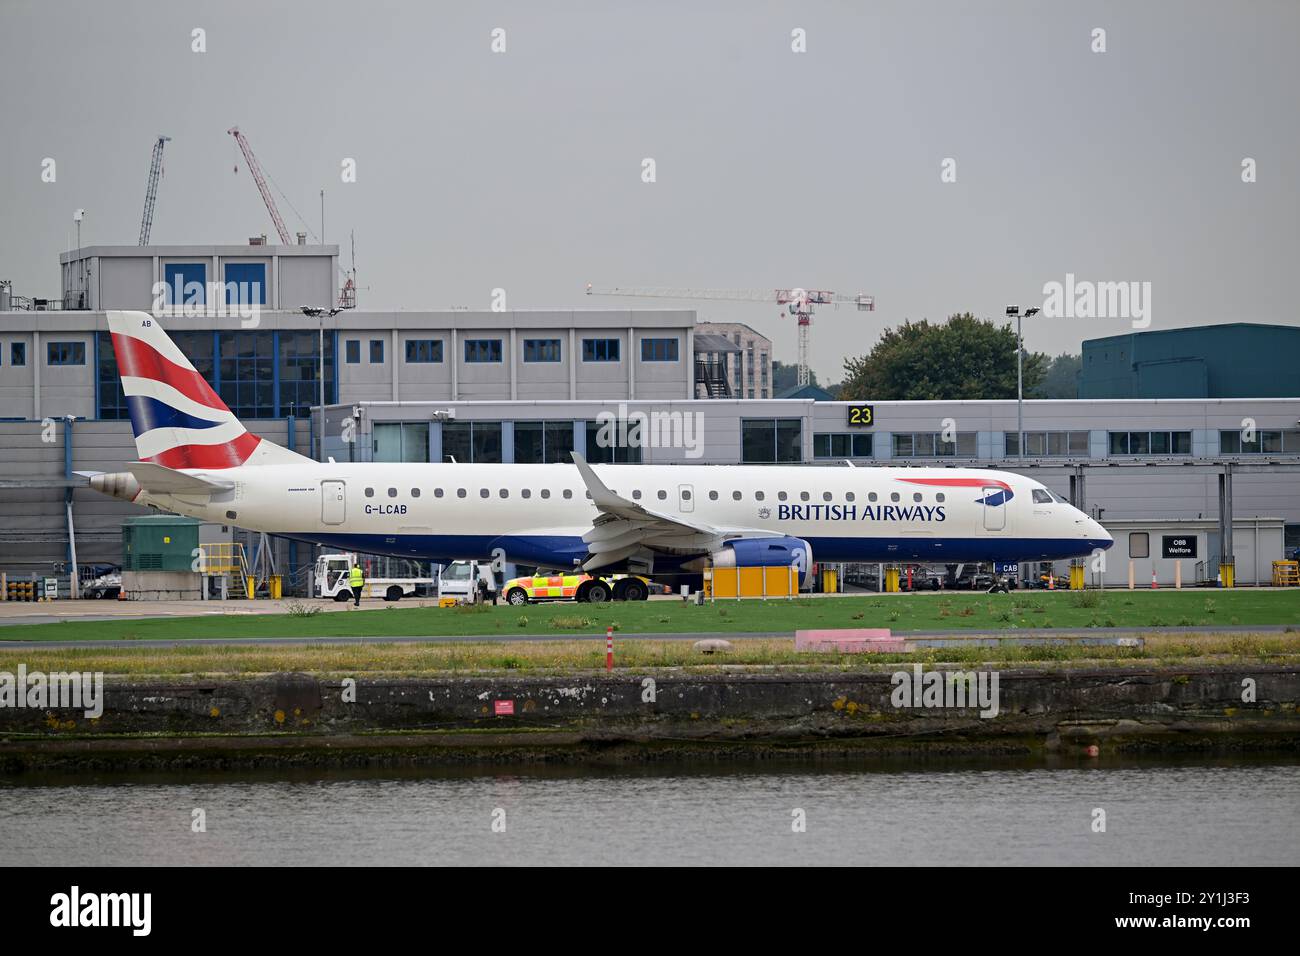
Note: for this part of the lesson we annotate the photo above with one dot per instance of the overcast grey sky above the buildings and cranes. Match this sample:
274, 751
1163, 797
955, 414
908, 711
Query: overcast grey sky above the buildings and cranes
822, 170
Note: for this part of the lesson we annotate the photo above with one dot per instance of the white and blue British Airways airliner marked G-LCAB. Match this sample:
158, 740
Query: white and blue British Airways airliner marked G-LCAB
662, 521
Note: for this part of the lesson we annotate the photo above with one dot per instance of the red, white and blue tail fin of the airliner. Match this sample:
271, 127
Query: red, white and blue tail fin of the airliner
179, 421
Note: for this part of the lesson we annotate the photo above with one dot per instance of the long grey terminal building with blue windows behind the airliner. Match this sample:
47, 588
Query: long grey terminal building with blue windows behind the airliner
538, 386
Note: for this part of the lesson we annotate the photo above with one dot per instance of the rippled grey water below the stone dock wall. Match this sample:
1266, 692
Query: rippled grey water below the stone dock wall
1204, 812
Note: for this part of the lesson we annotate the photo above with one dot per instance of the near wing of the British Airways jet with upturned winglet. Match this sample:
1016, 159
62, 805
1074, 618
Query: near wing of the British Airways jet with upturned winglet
626, 530
